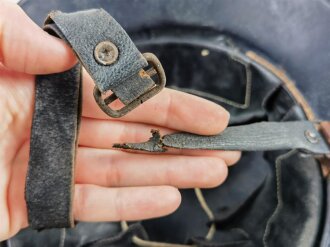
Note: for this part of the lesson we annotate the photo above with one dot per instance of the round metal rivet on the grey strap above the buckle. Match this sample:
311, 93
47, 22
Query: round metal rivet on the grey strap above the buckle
106, 53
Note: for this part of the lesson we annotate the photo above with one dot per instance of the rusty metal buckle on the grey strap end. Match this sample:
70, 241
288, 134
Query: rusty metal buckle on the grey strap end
157, 69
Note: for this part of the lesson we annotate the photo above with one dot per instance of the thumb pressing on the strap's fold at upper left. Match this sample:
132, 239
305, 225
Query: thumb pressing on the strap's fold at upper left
25, 47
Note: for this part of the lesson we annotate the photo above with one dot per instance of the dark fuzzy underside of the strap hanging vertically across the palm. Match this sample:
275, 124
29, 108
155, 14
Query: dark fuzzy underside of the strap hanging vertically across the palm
54, 134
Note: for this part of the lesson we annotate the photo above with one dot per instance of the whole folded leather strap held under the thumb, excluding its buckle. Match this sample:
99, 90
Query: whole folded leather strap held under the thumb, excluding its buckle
55, 126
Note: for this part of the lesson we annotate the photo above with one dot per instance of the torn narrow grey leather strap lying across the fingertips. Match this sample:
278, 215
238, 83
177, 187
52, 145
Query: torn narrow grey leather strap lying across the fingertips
253, 137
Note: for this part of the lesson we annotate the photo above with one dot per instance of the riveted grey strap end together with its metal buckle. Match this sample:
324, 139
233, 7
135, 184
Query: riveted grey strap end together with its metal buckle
110, 57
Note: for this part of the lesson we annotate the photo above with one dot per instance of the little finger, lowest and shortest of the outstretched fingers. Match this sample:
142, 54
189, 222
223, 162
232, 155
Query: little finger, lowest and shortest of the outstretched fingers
94, 203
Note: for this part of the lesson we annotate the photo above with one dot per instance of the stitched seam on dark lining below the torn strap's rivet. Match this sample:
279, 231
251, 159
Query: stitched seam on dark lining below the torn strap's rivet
278, 172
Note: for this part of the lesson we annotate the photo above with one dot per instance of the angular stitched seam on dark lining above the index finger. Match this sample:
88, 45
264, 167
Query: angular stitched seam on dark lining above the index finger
248, 87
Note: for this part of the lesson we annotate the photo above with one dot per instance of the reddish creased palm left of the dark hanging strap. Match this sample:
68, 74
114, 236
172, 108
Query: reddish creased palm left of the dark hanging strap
16, 100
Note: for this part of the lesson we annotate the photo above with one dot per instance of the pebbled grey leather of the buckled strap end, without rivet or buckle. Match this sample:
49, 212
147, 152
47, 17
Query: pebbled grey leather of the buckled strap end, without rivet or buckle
84, 30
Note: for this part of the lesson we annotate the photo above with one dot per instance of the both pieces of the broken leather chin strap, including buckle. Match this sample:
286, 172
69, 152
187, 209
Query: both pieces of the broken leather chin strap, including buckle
113, 61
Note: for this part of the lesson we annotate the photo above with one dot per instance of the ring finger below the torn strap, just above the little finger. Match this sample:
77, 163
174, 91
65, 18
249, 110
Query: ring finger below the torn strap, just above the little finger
117, 169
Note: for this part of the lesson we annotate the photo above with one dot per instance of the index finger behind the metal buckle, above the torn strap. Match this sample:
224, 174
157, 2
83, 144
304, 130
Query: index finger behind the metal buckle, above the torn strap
170, 108
